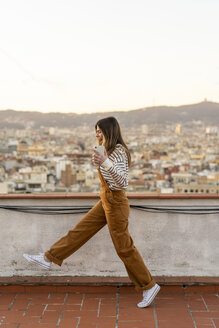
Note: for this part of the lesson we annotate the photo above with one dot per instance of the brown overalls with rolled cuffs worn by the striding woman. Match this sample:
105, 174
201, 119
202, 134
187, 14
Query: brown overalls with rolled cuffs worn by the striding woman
113, 210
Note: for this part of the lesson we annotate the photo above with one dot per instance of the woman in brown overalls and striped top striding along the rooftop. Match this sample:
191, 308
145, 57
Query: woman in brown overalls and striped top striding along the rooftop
112, 209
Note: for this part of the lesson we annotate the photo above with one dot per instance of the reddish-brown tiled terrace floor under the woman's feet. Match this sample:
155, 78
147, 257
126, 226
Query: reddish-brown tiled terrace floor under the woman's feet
107, 307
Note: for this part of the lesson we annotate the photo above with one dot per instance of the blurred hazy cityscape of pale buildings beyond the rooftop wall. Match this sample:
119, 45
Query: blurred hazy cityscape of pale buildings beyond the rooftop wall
166, 158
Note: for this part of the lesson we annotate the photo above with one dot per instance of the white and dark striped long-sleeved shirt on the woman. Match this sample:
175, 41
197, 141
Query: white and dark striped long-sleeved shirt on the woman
115, 169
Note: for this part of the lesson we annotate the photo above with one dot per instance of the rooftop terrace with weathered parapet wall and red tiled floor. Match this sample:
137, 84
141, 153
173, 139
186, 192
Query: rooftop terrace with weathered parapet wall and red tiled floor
177, 236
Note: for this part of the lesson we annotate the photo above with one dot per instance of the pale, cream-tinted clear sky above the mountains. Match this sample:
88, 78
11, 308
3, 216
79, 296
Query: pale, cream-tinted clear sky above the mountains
91, 56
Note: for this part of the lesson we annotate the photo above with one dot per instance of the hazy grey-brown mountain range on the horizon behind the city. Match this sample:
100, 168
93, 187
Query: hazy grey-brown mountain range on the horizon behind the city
207, 112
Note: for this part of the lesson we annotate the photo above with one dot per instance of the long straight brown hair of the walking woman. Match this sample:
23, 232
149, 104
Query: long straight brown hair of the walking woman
112, 134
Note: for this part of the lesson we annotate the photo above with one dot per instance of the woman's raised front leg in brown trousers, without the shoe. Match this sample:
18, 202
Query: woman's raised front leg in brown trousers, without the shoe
87, 227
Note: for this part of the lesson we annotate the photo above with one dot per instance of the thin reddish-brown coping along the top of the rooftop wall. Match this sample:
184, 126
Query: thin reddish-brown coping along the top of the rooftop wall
130, 195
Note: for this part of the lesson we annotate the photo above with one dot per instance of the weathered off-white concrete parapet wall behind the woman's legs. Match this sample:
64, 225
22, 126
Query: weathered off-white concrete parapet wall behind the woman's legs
171, 244
